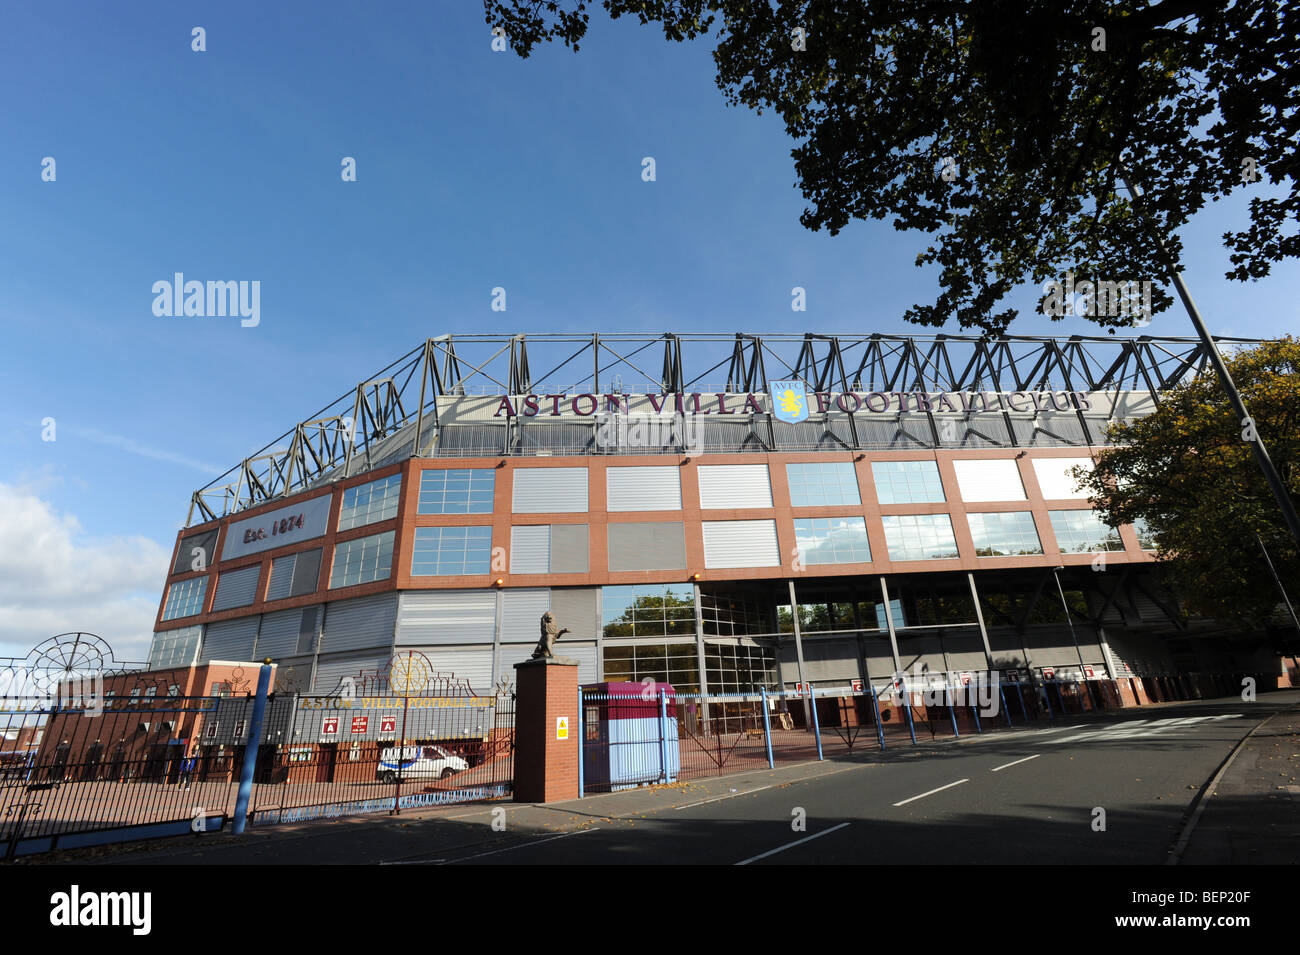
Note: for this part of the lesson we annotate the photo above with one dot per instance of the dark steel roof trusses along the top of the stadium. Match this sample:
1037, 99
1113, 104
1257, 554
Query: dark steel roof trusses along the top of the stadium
395, 414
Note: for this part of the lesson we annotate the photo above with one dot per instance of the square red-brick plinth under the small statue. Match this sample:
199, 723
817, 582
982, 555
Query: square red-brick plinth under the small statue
545, 767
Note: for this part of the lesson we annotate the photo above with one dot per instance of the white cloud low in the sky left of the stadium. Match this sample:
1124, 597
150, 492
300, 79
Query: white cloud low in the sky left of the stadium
57, 580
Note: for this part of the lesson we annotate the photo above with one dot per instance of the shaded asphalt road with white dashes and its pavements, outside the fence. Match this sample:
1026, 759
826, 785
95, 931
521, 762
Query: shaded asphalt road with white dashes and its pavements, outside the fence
1117, 788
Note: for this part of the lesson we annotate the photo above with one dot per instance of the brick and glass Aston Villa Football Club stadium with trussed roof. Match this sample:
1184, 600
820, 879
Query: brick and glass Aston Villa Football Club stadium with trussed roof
717, 513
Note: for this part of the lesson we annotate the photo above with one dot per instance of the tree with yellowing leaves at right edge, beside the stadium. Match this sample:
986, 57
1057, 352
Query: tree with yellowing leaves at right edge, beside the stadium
1186, 471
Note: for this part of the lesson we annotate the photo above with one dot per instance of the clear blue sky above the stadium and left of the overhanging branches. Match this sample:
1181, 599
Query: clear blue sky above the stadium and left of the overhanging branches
475, 170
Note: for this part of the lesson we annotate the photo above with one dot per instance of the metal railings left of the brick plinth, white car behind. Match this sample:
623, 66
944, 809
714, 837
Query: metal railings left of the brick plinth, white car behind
136, 769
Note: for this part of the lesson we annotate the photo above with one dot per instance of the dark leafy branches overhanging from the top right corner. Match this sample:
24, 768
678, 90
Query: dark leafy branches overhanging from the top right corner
1002, 129
